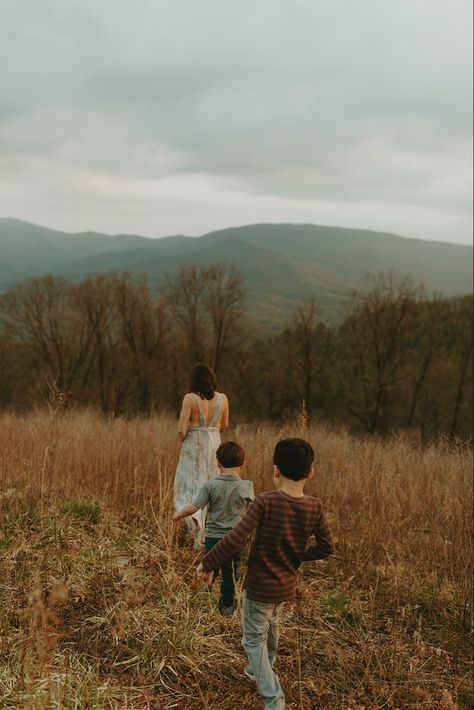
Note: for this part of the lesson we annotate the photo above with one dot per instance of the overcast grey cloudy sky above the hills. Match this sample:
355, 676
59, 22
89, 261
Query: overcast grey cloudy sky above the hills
161, 117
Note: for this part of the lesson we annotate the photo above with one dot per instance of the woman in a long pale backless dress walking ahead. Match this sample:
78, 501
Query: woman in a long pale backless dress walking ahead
204, 414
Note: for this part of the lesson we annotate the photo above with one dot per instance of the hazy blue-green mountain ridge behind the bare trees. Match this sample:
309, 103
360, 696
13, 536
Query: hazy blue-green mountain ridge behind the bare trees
282, 264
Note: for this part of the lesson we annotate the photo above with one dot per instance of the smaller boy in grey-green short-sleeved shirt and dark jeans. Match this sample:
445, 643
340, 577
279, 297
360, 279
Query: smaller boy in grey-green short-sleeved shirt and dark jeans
227, 497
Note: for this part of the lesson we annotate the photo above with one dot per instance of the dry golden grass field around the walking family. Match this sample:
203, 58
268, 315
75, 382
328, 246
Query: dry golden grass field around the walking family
98, 607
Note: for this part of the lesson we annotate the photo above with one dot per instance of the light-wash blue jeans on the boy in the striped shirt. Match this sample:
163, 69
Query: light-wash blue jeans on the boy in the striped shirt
260, 640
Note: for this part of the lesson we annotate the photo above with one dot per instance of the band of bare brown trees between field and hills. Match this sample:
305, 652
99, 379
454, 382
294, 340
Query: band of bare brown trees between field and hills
398, 360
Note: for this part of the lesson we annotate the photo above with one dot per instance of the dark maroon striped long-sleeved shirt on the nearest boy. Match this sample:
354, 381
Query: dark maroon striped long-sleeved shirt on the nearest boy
283, 525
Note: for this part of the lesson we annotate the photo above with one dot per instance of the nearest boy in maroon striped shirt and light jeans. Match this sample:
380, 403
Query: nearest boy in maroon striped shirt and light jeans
284, 520
